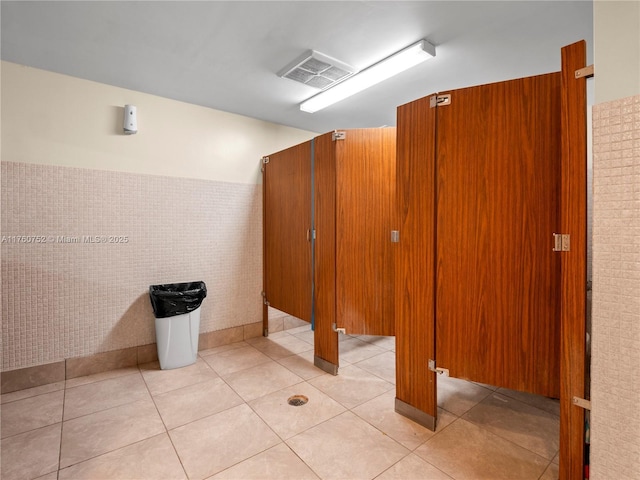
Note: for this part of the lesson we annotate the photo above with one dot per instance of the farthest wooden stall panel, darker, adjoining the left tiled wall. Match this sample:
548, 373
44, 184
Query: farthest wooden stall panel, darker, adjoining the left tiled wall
287, 221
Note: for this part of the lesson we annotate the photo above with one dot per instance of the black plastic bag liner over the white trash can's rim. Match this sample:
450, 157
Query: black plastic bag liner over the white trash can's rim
173, 299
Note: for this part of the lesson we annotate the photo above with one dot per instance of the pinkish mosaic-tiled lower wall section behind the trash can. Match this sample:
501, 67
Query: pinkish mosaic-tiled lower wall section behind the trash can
63, 300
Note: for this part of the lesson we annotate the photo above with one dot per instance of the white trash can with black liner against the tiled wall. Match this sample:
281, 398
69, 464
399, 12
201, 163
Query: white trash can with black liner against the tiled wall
176, 307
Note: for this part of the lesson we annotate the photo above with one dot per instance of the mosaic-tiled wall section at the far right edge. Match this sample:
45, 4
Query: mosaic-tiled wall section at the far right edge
615, 416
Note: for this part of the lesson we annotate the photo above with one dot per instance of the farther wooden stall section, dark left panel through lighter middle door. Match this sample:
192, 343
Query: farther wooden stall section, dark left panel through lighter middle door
349, 186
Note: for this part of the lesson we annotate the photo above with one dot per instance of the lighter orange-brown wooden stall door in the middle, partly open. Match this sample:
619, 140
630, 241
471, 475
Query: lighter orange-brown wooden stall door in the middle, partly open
365, 196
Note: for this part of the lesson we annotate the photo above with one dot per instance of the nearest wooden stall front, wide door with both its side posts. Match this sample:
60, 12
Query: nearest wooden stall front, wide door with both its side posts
488, 176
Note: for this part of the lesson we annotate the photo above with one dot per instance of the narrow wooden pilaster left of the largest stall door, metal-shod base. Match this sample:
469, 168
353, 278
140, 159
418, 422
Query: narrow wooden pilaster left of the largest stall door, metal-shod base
414, 262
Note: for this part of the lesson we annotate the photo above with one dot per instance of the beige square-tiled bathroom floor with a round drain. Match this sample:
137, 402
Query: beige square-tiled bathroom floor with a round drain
227, 417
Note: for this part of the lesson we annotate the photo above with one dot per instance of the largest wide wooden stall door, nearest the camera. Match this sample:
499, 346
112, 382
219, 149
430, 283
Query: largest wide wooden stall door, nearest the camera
497, 294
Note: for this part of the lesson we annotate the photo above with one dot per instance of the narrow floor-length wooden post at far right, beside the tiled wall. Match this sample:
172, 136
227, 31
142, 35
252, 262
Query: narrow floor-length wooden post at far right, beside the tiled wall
573, 271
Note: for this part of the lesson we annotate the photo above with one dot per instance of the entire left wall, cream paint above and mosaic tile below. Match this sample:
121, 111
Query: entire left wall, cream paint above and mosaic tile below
182, 197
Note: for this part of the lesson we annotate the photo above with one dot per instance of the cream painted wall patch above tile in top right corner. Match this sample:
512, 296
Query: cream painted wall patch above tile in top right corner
616, 33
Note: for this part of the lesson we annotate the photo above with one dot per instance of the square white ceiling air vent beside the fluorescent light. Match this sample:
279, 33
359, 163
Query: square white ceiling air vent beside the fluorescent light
317, 70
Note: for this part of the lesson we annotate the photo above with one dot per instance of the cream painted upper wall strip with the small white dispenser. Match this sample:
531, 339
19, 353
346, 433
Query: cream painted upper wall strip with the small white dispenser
54, 119
